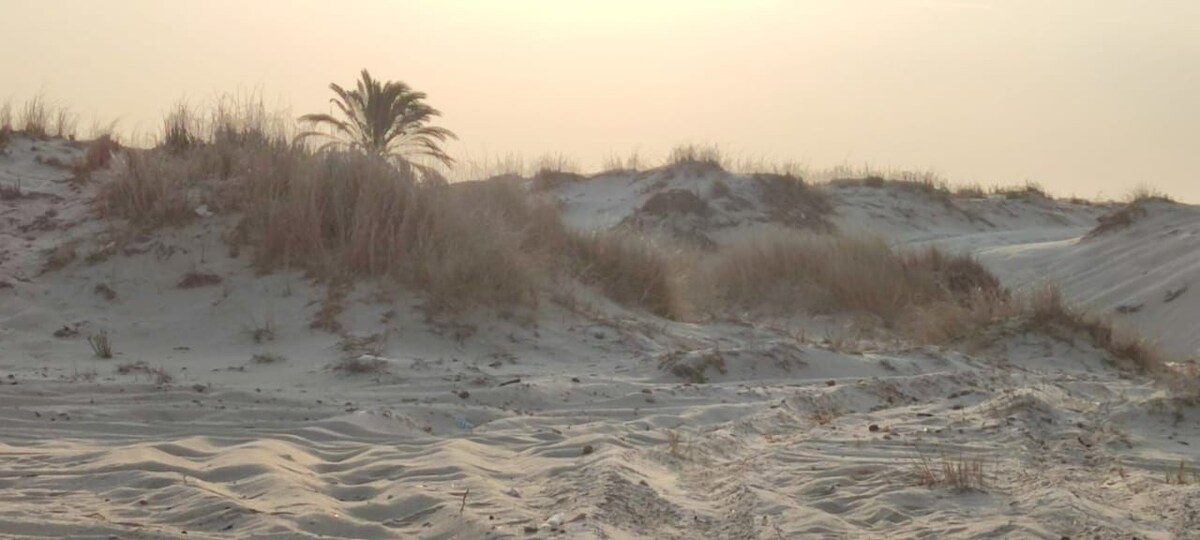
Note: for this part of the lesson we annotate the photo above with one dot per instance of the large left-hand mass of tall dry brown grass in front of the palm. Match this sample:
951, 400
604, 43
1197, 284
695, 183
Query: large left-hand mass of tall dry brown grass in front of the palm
344, 217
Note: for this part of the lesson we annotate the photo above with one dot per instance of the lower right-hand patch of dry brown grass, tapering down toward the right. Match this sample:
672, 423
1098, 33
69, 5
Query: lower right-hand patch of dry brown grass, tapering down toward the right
925, 296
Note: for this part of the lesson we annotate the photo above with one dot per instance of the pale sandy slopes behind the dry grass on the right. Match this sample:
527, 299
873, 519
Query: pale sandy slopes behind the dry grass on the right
1028, 241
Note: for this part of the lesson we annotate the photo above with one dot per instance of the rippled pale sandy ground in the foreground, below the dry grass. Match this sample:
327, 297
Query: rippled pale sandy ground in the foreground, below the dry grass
557, 424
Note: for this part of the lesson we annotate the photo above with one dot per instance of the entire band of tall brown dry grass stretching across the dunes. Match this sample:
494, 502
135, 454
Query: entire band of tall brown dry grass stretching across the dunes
345, 217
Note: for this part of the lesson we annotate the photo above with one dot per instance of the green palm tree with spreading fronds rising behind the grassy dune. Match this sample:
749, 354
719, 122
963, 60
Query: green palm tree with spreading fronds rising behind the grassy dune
383, 118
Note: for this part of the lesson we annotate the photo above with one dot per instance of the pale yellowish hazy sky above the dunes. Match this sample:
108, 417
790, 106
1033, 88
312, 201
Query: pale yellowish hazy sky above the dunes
1085, 97
